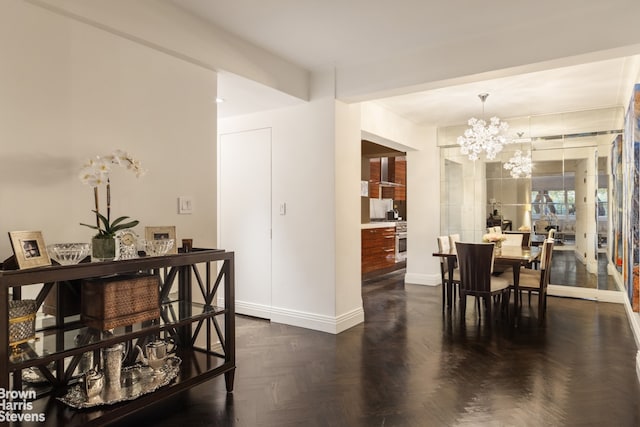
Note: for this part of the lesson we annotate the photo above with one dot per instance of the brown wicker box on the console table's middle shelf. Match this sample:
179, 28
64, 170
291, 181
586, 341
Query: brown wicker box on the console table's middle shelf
115, 301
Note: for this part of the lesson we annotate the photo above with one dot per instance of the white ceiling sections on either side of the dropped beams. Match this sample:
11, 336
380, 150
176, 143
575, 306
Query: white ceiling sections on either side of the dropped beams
332, 33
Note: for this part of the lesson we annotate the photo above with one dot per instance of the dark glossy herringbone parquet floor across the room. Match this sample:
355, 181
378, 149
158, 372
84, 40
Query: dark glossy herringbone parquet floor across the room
411, 364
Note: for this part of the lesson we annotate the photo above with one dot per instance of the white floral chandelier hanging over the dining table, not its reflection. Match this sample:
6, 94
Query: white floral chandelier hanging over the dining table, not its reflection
482, 136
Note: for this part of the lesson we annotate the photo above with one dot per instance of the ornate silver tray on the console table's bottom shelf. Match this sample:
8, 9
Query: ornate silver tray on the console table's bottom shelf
136, 381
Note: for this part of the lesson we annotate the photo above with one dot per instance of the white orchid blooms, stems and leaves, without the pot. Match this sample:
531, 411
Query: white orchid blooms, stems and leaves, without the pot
96, 173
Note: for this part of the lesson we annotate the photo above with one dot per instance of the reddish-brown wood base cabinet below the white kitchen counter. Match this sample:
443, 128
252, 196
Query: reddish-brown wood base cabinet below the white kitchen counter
378, 248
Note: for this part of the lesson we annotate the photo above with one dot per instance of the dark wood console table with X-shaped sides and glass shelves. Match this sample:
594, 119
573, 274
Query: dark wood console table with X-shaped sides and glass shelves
188, 315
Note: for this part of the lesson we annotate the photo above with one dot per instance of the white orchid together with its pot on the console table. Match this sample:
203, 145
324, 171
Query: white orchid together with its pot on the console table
96, 173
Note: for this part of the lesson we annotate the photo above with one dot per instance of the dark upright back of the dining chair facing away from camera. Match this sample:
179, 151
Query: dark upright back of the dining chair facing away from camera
475, 261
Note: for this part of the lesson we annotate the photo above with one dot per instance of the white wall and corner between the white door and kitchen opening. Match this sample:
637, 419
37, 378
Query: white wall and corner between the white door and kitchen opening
307, 240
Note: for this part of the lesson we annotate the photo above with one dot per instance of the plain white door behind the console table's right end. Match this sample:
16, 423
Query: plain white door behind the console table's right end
245, 216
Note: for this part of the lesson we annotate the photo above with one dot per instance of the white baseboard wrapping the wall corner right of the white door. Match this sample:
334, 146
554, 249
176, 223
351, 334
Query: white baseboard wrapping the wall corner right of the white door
316, 322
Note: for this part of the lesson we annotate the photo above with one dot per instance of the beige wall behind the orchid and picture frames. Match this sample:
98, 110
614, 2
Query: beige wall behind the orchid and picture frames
71, 91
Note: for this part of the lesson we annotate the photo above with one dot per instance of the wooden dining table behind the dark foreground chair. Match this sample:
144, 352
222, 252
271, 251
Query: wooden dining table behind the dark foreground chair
511, 256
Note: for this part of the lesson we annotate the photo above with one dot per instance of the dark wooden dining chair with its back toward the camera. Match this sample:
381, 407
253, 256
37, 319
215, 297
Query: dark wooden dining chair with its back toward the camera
475, 261
